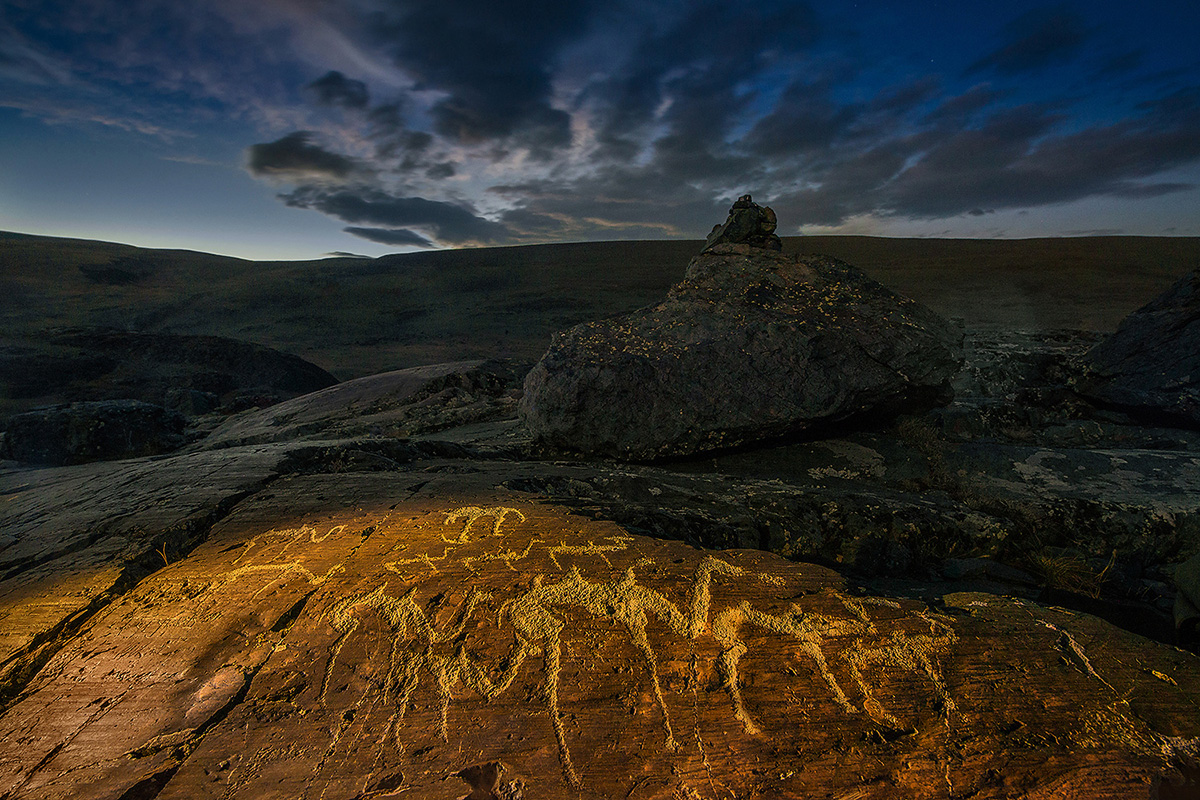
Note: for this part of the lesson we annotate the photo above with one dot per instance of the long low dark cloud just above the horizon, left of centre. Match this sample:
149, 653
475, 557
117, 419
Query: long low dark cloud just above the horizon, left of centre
451, 224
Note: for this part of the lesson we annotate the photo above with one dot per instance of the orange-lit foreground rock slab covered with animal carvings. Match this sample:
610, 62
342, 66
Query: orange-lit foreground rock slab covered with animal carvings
430, 635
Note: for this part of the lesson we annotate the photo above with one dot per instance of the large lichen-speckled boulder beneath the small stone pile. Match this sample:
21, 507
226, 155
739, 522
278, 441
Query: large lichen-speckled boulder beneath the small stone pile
752, 346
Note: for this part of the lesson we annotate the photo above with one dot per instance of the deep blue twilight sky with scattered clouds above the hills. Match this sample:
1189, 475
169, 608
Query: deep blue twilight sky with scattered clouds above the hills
293, 129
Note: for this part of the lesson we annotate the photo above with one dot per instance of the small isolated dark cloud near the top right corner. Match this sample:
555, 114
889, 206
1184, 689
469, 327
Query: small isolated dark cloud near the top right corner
1036, 40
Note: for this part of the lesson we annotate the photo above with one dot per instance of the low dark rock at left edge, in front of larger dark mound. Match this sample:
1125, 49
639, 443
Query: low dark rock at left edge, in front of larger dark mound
86, 432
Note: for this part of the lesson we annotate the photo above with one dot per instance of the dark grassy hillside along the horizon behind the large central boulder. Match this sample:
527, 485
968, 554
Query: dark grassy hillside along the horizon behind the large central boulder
356, 317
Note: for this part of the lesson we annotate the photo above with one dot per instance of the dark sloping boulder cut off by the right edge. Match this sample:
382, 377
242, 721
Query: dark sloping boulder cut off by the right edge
1151, 364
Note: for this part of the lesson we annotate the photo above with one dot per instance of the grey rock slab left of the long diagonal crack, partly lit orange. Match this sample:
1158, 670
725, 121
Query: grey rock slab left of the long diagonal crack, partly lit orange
74, 538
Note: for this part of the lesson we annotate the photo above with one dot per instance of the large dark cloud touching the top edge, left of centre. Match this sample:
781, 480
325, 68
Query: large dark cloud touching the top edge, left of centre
494, 59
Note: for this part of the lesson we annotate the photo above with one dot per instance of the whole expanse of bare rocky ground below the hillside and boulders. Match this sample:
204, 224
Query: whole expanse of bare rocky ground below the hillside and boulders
391, 587
